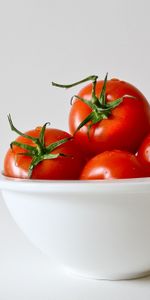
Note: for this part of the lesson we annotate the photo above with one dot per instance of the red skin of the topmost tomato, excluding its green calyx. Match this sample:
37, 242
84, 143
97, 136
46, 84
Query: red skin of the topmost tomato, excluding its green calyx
124, 129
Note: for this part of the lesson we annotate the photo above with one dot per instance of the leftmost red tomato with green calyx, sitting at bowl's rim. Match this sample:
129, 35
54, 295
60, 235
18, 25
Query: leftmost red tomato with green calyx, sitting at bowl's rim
65, 161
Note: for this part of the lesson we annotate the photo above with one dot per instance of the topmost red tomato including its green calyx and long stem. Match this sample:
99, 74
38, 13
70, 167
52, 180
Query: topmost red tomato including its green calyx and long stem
107, 115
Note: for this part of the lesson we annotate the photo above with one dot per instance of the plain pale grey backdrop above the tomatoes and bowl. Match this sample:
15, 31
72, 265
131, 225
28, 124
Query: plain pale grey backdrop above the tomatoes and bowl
64, 41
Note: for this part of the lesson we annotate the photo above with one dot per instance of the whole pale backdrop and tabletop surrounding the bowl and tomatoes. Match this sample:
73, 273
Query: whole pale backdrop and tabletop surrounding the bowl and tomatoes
63, 41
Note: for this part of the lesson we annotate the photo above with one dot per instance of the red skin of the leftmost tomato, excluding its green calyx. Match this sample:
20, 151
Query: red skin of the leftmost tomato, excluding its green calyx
59, 168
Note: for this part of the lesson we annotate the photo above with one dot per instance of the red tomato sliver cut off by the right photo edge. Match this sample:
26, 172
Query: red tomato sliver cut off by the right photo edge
143, 154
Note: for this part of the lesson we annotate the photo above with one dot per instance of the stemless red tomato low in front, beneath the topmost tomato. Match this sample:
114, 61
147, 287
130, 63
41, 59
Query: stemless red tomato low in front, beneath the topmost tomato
116, 164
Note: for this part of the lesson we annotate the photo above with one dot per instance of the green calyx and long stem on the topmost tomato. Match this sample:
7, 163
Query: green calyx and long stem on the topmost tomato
100, 109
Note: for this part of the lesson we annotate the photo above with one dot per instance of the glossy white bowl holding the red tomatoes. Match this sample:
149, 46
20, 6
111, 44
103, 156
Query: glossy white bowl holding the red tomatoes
96, 229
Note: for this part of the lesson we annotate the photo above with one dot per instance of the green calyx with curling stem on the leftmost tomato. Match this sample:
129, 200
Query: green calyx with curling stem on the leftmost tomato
39, 152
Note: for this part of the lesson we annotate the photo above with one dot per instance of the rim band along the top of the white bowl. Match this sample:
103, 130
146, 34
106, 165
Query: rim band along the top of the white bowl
14, 184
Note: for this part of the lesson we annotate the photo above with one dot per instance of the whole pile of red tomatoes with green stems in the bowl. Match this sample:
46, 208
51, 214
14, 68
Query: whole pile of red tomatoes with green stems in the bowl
109, 124
